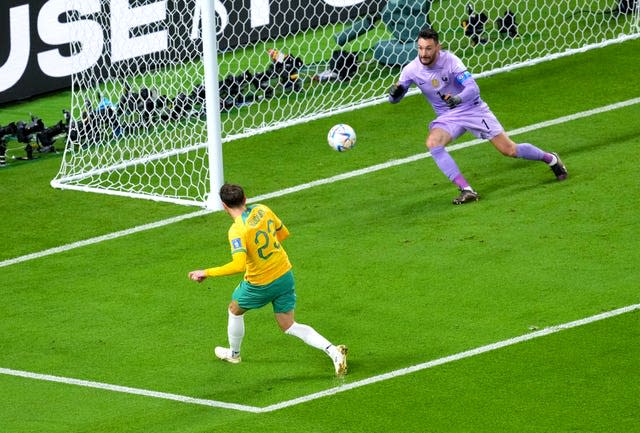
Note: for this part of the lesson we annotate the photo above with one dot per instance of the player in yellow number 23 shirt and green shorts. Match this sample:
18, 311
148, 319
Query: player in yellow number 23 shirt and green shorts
256, 237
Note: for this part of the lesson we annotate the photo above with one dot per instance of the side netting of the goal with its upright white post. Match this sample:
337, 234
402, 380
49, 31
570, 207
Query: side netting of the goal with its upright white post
139, 123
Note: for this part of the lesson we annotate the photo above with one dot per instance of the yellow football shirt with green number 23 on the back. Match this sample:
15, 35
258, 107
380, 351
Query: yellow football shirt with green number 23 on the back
258, 232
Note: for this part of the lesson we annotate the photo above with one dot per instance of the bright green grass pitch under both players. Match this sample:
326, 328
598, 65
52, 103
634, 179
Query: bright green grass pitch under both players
384, 263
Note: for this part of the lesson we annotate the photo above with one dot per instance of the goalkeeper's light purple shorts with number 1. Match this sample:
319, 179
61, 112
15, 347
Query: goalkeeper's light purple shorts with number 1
478, 120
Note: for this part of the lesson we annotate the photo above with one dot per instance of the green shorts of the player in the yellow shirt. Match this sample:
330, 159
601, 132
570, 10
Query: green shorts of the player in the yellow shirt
281, 293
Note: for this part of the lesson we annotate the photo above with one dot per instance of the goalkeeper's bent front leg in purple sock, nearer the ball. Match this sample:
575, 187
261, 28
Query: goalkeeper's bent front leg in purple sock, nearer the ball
441, 134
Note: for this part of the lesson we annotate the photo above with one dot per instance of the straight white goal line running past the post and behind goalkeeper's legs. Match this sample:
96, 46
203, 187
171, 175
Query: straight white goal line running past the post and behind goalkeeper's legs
315, 183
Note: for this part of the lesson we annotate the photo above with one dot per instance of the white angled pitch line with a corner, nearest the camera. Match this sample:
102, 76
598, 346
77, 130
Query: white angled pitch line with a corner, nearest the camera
331, 391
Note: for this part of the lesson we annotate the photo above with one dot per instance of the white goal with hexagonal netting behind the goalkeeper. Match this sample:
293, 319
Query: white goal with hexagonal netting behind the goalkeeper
143, 78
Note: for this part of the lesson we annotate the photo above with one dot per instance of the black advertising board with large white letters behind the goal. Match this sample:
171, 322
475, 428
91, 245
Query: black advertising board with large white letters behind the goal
22, 38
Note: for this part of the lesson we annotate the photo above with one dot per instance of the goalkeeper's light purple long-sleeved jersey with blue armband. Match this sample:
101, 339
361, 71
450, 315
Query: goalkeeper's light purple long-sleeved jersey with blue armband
447, 76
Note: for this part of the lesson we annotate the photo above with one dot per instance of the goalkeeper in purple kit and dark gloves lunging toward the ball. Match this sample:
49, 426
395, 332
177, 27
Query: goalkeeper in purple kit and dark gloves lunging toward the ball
455, 97
